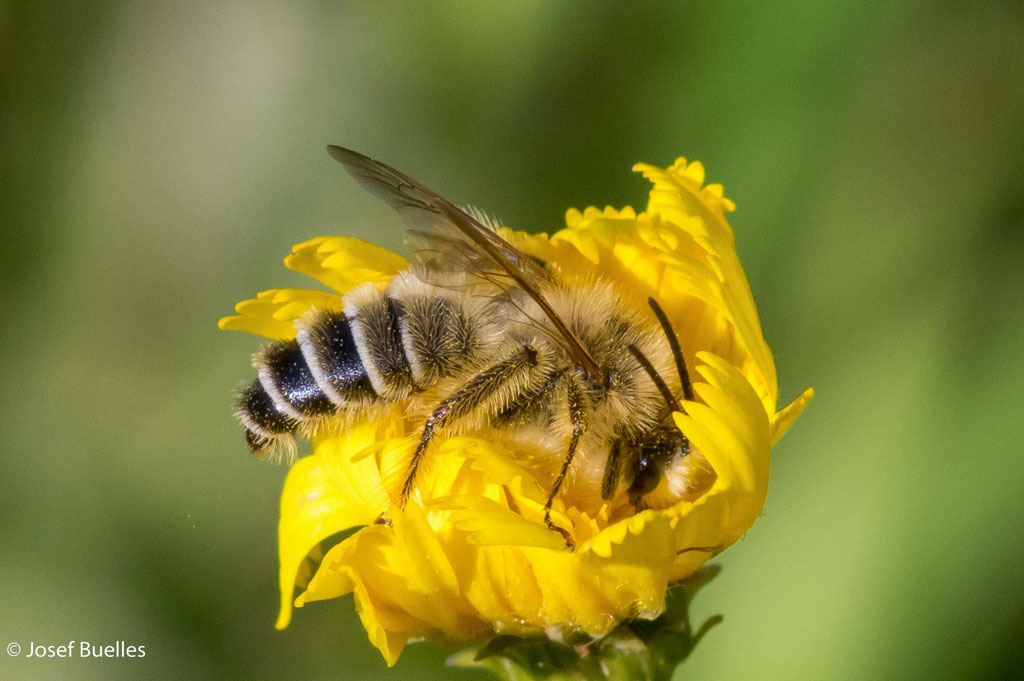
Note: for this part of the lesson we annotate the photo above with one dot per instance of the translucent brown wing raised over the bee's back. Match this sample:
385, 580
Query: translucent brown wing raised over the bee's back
457, 239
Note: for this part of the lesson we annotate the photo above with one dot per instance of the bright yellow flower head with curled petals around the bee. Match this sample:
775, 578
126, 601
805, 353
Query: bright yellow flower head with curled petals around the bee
471, 556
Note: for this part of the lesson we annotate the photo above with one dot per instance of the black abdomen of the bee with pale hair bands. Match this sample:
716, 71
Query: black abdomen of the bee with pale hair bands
381, 349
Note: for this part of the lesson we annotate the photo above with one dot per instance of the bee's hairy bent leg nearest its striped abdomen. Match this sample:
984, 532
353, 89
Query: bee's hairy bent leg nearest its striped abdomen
464, 402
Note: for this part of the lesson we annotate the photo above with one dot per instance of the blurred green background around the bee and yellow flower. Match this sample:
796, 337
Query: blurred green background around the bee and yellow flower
158, 160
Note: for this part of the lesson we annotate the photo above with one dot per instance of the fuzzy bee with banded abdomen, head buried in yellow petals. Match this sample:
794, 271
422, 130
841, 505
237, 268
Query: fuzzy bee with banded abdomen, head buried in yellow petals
485, 336
